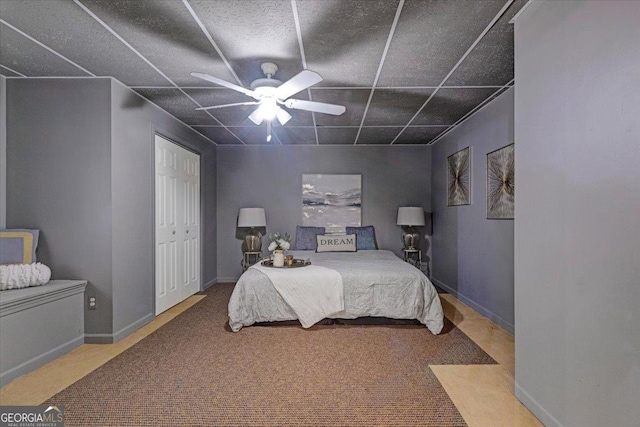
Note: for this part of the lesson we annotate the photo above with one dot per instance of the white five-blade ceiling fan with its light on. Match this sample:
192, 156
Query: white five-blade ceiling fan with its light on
270, 93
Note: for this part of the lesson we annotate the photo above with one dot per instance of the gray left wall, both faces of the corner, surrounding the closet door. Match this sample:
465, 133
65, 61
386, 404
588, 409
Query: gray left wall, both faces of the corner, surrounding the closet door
80, 169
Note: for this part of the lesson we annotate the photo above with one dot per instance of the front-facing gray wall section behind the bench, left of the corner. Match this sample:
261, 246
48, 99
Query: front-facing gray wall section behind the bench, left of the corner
58, 179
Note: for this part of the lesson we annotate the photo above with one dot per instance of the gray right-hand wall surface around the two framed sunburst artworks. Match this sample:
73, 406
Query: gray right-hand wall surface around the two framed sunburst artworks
473, 256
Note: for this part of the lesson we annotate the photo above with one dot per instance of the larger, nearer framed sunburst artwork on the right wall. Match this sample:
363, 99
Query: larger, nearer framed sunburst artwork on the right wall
501, 183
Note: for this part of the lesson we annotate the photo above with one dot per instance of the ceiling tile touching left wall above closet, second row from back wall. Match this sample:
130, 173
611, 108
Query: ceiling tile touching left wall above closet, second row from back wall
177, 104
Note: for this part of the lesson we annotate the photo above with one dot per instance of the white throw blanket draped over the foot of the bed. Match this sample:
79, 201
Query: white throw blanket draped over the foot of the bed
312, 292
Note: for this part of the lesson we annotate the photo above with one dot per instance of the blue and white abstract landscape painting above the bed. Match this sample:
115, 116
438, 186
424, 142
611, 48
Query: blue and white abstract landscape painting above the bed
332, 201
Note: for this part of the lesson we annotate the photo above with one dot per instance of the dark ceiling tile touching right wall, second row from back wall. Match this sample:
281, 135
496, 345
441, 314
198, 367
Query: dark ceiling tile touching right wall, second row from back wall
449, 105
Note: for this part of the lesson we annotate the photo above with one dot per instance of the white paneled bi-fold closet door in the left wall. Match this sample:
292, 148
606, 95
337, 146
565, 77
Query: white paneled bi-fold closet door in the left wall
177, 219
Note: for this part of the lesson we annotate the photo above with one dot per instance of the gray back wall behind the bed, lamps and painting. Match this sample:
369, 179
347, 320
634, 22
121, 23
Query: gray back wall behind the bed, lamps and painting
271, 177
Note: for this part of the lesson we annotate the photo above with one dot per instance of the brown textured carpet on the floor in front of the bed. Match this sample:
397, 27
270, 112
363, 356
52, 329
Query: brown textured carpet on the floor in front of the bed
194, 371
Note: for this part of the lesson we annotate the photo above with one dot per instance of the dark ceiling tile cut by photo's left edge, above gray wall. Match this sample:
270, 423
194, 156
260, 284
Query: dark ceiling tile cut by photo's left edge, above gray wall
18, 53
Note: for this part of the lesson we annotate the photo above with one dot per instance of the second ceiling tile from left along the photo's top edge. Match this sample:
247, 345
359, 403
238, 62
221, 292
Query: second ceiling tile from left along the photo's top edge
166, 34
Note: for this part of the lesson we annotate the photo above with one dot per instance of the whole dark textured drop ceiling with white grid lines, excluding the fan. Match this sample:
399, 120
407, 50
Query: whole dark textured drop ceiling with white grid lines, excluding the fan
407, 71
